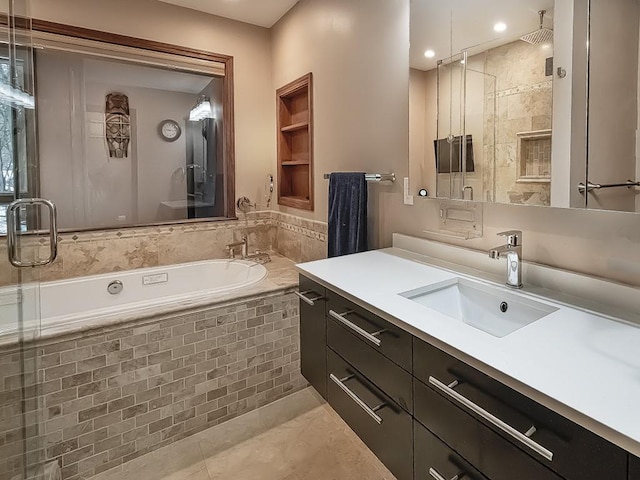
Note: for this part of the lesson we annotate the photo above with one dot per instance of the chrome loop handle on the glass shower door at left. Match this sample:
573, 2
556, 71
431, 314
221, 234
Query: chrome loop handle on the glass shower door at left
12, 232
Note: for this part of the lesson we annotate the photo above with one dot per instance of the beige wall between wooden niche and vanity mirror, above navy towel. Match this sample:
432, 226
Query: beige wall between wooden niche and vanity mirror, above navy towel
358, 52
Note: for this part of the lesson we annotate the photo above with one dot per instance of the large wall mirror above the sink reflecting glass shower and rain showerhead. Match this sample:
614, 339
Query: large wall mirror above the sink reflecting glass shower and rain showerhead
528, 102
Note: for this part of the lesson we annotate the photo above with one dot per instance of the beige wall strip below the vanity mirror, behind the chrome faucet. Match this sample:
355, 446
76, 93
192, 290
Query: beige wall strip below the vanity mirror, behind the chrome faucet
602, 244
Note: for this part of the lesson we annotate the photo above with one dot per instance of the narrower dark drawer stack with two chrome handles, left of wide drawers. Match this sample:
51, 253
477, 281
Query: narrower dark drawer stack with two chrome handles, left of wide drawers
369, 381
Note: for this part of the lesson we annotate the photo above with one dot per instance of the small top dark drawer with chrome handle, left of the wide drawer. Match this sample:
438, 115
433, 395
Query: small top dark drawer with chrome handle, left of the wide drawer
391, 341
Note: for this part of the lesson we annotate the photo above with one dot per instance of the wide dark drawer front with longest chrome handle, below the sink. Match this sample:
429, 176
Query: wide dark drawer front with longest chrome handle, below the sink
468, 409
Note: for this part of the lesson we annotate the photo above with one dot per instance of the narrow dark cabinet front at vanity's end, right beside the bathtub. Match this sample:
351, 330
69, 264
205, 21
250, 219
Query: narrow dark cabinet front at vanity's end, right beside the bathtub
313, 334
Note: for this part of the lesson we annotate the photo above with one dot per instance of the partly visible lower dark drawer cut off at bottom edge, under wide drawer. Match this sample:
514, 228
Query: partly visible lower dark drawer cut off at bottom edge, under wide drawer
435, 460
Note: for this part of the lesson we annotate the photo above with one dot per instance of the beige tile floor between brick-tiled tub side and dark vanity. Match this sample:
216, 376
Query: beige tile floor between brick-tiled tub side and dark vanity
296, 438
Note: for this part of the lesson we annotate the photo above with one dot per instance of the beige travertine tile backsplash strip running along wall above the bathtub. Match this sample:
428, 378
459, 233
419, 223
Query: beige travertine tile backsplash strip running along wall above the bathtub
90, 253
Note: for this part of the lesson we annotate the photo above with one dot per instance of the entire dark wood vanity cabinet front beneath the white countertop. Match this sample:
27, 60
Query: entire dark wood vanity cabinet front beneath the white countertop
426, 414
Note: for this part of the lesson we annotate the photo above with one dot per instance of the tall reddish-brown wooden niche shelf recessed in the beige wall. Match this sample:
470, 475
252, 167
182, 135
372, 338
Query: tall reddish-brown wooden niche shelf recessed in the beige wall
295, 143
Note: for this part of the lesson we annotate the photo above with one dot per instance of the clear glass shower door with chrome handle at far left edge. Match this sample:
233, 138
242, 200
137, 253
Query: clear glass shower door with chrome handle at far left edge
21, 403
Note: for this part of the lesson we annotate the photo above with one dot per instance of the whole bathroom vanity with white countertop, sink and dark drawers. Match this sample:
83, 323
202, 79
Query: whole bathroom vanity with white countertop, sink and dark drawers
541, 390
